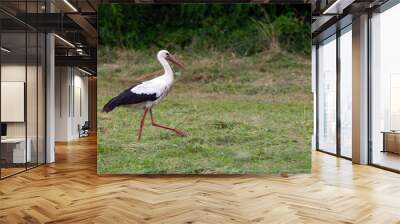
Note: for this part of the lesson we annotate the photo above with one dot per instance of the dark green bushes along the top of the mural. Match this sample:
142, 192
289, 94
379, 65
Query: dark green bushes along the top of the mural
241, 28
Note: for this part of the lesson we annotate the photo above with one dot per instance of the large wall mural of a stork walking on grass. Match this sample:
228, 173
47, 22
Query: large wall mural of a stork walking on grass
204, 89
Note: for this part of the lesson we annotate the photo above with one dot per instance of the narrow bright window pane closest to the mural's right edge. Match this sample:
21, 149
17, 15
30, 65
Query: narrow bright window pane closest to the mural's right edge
327, 95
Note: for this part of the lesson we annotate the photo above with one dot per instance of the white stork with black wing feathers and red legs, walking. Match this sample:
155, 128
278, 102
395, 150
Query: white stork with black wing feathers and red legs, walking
147, 94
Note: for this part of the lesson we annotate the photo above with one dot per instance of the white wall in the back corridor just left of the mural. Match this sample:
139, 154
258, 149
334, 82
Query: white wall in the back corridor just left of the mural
70, 83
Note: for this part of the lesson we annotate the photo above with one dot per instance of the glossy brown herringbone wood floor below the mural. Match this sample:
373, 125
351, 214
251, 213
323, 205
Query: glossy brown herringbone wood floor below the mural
69, 191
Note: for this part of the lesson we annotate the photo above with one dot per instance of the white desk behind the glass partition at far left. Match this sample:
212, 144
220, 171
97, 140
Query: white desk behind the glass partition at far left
17, 150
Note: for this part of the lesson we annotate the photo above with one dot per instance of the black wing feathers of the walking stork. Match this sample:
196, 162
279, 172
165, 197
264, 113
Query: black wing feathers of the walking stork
127, 97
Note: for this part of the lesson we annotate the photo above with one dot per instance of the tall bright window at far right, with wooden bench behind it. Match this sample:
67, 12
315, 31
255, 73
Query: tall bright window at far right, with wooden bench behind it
385, 89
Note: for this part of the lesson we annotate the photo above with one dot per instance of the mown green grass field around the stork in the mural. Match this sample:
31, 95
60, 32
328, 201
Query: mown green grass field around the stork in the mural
242, 115
